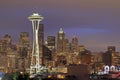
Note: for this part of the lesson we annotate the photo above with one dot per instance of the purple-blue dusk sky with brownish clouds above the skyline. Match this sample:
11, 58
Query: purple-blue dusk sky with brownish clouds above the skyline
96, 23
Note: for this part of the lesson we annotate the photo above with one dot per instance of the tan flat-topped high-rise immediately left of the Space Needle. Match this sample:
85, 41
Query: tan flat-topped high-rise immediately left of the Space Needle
24, 51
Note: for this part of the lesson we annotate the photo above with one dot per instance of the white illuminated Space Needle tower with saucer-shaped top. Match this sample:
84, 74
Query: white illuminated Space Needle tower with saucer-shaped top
35, 66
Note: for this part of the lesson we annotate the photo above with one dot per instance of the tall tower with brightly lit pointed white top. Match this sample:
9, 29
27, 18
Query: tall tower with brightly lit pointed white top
60, 41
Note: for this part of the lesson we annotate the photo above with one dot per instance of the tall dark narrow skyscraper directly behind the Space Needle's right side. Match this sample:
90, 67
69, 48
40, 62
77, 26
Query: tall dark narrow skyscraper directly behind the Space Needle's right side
41, 42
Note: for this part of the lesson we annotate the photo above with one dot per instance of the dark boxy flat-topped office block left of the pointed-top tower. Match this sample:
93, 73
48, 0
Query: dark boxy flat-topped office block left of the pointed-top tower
51, 43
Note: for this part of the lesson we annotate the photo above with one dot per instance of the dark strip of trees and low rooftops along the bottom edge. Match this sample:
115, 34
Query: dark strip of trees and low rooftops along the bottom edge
25, 76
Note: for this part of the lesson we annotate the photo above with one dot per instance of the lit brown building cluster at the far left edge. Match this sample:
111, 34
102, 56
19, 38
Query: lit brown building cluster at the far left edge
8, 53
